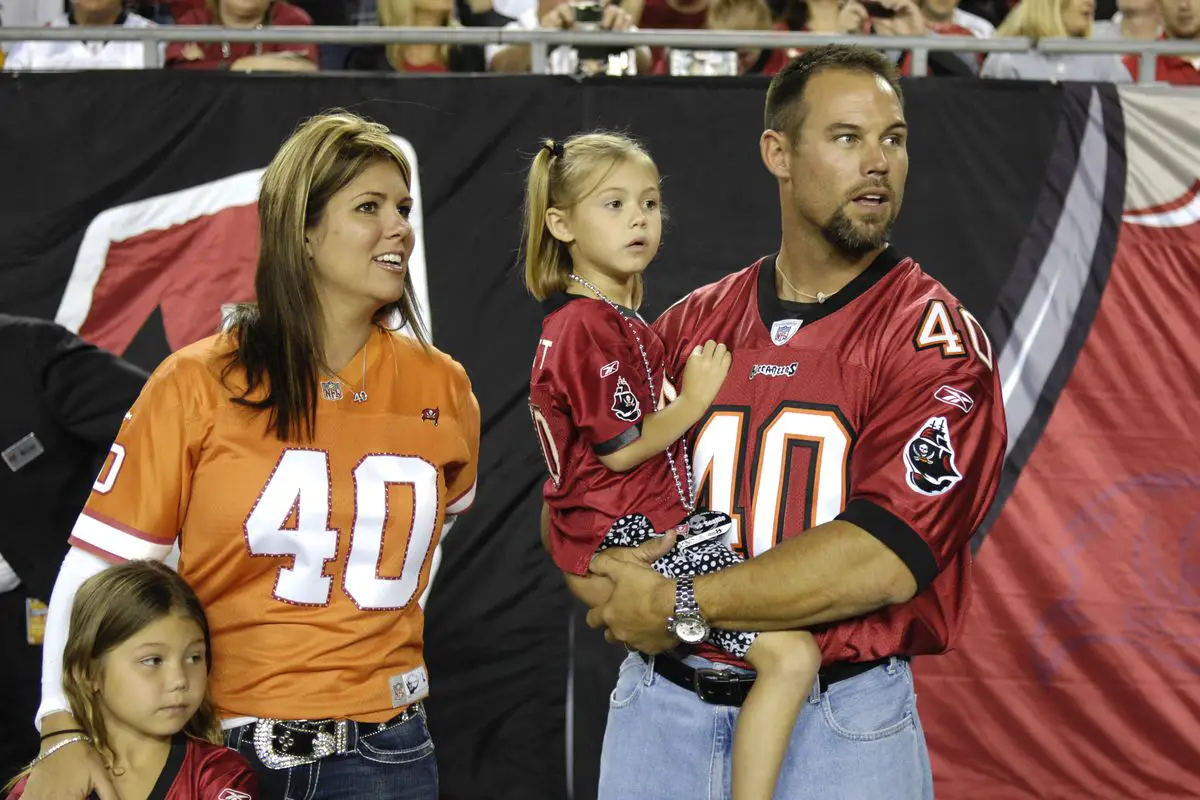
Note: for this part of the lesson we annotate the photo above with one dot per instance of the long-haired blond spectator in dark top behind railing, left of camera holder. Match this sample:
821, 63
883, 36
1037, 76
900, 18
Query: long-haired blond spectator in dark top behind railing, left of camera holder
418, 58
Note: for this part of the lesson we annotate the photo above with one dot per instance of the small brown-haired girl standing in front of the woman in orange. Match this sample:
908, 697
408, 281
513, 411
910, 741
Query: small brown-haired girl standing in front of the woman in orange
136, 671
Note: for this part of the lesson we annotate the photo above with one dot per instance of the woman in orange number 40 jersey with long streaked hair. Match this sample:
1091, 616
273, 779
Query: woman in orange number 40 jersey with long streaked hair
307, 461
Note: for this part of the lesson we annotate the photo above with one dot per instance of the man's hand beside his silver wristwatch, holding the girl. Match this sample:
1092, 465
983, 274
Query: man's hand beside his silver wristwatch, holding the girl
637, 611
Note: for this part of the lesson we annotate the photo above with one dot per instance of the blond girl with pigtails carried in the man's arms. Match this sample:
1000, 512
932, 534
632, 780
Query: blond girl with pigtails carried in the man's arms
611, 428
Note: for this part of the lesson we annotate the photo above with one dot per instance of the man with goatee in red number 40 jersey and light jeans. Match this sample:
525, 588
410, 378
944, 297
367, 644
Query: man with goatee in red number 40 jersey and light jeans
857, 443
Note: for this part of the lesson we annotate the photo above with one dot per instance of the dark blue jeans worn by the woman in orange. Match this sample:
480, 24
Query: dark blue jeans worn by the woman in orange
395, 763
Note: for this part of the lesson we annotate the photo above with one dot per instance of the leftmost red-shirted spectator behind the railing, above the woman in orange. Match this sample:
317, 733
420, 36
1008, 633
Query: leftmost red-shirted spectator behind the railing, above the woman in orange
244, 57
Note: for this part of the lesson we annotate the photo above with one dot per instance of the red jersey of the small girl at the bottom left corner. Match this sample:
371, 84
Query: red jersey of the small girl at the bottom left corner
197, 771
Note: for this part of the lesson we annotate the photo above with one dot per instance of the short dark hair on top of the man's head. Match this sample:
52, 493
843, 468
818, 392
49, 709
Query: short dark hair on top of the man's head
785, 95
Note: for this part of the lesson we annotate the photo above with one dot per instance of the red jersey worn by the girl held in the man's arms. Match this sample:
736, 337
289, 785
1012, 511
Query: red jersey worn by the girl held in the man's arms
589, 394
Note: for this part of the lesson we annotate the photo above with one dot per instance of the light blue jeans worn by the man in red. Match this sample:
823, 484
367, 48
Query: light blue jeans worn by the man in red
859, 741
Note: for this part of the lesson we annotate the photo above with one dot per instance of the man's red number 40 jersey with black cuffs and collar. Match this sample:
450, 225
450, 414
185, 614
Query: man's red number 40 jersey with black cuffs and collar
880, 407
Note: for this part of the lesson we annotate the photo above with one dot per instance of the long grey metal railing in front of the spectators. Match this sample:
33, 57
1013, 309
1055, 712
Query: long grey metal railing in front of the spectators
542, 41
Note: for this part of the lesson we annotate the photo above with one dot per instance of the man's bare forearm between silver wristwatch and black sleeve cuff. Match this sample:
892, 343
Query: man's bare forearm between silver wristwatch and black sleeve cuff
832, 573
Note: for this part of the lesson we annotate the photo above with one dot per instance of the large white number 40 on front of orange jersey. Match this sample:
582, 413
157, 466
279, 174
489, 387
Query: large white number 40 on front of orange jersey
302, 483
